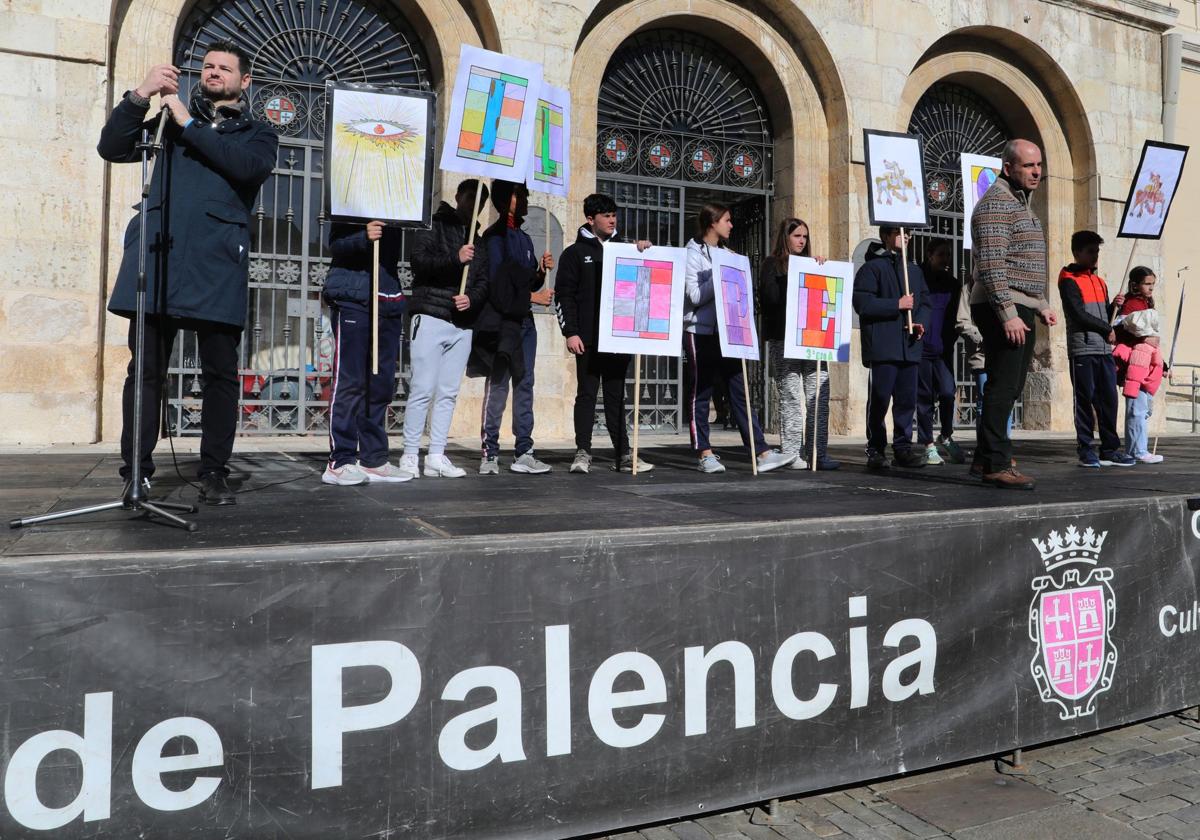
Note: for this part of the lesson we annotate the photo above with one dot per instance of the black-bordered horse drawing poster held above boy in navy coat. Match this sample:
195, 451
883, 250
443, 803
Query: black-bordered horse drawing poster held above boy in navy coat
896, 179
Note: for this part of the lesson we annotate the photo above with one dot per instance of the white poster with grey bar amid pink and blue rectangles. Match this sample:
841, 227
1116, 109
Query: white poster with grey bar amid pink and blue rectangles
641, 301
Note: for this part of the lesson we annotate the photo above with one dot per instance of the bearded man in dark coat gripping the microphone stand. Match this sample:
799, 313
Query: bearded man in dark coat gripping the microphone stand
214, 160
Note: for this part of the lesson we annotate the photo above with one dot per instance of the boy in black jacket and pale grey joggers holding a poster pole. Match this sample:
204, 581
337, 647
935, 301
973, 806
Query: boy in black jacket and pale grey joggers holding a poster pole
440, 337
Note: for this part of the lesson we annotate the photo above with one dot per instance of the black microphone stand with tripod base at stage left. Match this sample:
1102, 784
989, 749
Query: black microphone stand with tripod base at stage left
135, 496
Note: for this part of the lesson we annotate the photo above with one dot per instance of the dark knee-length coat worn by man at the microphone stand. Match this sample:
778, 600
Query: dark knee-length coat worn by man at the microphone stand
199, 213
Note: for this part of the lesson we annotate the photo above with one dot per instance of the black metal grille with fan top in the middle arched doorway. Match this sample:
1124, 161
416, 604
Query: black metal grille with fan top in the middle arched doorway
681, 123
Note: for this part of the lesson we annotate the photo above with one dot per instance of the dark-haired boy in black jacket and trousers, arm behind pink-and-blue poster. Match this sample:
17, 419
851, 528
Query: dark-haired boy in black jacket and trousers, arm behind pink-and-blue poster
578, 303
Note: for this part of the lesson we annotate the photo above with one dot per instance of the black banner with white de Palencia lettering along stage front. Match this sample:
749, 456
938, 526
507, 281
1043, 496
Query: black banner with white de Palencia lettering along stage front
556, 686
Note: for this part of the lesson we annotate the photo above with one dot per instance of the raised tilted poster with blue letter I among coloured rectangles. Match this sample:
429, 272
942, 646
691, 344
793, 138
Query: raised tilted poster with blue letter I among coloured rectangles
491, 128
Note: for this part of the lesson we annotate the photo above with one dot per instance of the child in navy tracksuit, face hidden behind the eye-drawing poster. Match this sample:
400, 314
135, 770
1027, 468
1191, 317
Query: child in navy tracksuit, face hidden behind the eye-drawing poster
358, 405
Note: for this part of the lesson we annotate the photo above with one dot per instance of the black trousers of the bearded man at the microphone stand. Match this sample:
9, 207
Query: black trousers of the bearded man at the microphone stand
219, 395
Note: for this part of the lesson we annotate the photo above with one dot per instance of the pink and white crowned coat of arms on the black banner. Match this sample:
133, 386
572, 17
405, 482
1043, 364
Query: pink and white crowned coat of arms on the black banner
1071, 621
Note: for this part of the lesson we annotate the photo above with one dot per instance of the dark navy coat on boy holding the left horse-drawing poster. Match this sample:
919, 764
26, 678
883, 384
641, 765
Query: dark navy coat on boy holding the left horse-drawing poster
879, 287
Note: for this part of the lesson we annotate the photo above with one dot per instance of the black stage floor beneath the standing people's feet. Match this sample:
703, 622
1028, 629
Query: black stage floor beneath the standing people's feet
283, 502
